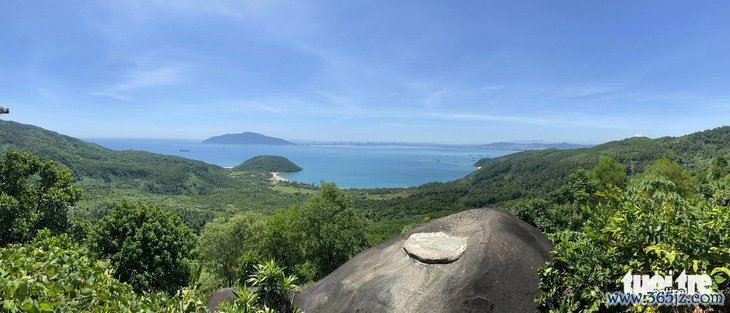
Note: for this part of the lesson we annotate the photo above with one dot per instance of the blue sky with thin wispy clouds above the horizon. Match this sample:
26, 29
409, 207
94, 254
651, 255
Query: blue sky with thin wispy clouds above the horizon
424, 71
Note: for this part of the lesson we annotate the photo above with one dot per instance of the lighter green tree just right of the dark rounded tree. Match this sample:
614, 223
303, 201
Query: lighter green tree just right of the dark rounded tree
230, 249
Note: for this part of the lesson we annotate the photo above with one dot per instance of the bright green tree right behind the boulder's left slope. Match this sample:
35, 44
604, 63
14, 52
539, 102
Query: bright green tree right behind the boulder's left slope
320, 235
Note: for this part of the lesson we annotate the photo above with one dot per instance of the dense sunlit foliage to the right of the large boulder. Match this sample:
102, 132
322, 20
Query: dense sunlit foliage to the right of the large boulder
649, 228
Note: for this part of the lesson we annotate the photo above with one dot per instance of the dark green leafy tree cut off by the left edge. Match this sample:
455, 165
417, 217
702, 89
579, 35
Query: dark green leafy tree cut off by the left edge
33, 195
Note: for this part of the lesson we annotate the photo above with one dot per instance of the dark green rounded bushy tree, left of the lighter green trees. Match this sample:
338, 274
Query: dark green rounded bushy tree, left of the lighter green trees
148, 247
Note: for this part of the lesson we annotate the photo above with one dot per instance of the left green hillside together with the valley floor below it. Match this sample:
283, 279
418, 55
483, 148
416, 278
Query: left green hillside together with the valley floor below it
195, 190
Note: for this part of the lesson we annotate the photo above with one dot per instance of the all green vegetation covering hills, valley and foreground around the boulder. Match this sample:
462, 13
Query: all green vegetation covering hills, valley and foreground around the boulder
91, 229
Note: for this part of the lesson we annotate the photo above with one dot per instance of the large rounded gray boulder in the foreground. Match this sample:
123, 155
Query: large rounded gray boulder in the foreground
480, 260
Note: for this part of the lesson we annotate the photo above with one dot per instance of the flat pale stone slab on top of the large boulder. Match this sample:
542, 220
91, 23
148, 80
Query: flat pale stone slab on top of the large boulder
435, 248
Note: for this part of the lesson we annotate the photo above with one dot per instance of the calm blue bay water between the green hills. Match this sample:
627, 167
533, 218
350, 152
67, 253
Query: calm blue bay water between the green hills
348, 166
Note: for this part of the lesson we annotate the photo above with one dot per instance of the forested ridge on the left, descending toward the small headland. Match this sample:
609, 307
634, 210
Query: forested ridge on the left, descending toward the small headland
129, 169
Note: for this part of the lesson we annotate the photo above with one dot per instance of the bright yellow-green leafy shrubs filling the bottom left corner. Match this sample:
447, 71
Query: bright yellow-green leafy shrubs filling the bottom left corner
53, 274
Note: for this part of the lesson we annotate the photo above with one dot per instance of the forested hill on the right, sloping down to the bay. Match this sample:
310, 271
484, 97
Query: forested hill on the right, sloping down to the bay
537, 173
